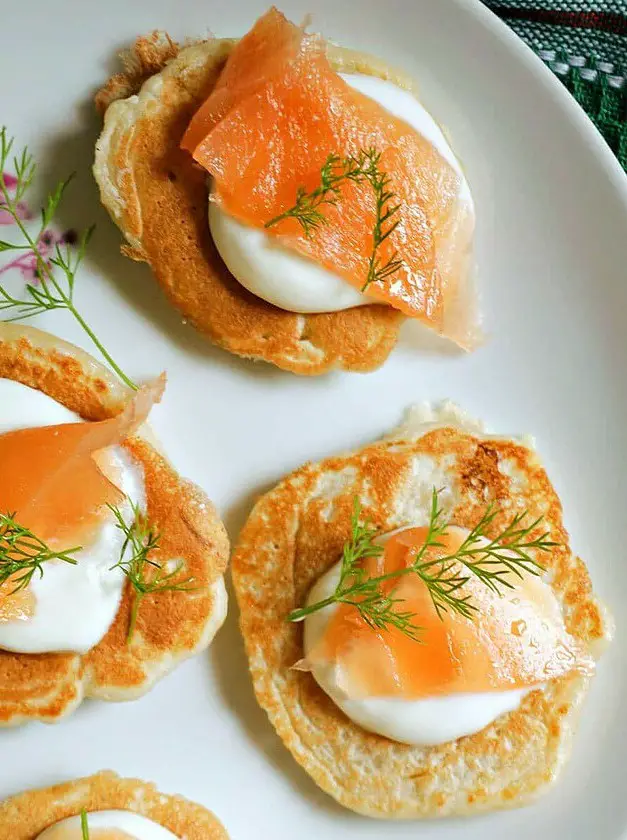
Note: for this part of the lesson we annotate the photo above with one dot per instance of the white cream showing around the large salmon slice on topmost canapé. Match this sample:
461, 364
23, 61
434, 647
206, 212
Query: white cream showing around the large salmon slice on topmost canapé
294, 282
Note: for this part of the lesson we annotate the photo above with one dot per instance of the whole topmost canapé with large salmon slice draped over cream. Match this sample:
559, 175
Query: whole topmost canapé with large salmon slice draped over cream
335, 201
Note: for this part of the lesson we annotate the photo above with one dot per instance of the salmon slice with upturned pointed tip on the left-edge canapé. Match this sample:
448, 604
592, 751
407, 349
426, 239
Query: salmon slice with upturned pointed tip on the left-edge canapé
51, 480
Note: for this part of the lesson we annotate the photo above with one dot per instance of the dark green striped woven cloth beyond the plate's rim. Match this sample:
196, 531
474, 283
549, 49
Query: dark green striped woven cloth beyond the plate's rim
585, 44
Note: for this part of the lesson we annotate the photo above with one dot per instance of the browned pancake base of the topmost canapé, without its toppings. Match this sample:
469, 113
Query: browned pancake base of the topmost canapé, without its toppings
158, 198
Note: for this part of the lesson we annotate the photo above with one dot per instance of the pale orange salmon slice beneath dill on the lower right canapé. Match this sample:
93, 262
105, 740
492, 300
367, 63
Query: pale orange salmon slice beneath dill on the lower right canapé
515, 640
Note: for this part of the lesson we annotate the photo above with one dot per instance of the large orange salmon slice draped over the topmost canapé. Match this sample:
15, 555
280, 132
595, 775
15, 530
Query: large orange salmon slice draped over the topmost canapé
271, 127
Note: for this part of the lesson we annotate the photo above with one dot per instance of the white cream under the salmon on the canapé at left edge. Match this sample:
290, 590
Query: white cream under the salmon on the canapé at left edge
74, 604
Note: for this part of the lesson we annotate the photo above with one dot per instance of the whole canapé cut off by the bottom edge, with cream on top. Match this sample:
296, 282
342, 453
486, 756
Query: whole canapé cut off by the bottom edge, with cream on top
105, 807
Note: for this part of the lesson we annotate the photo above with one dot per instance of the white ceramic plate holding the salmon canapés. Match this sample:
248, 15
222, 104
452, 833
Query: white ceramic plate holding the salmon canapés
552, 250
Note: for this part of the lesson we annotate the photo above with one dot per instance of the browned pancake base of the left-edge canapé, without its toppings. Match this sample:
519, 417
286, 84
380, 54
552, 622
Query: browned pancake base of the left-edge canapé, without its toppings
171, 626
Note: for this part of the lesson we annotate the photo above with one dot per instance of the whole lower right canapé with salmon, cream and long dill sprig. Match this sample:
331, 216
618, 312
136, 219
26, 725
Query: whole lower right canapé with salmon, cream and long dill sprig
417, 627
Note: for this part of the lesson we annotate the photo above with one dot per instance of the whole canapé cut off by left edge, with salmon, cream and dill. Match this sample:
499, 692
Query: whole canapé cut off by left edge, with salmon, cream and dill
111, 565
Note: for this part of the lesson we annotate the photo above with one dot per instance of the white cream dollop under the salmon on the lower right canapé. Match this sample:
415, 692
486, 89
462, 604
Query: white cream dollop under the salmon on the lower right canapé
426, 722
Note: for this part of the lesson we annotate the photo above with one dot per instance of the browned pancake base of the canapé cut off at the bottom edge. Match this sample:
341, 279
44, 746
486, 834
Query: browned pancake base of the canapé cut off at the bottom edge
26, 815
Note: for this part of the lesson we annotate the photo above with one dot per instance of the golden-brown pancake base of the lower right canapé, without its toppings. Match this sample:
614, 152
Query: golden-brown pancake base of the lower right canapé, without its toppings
297, 531
